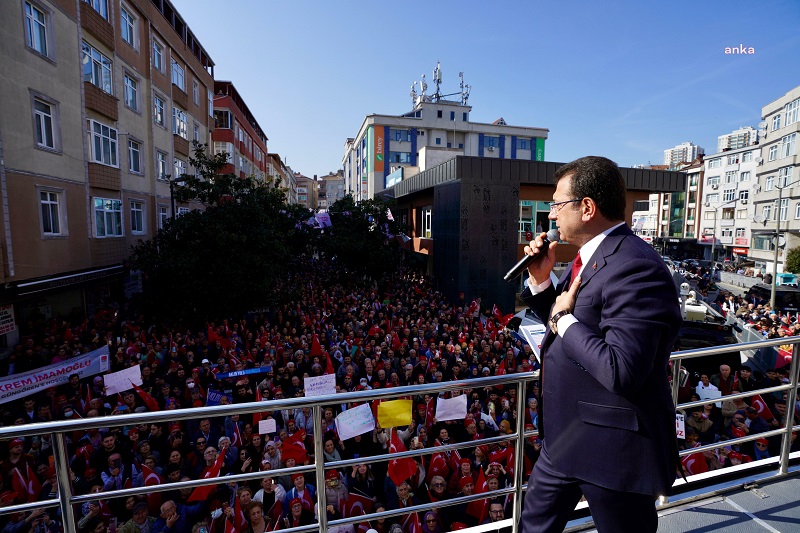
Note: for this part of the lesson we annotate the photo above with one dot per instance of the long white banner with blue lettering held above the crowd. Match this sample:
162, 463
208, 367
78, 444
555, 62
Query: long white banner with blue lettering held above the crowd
20, 385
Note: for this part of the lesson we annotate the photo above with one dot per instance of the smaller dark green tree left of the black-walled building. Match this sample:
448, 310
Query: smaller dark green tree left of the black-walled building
362, 237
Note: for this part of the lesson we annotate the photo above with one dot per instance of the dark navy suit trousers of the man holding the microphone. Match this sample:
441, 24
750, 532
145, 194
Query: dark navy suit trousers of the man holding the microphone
551, 497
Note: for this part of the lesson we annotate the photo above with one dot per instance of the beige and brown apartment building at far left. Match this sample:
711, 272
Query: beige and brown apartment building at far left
101, 101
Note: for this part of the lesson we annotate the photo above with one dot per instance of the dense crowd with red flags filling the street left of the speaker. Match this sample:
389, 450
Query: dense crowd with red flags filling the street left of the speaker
394, 332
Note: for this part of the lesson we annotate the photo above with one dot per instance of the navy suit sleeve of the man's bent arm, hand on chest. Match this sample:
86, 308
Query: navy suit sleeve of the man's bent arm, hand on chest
639, 315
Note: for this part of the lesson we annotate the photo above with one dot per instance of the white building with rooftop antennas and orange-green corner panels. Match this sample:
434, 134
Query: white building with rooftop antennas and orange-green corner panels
390, 148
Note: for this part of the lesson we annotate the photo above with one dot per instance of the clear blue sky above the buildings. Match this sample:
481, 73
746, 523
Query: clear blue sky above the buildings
624, 79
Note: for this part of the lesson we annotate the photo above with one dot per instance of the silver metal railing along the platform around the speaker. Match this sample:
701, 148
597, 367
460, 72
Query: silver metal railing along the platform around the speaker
65, 499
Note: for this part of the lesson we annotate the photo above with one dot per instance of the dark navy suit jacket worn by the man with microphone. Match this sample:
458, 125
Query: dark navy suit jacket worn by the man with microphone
607, 412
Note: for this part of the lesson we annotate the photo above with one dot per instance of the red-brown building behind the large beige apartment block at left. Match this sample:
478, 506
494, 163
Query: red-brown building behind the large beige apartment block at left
237, 133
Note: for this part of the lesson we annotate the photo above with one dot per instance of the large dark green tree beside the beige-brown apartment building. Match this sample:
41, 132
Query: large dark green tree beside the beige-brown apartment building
227, 259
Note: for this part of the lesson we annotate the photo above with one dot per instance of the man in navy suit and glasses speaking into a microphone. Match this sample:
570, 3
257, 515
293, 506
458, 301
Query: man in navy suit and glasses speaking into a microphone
606, 413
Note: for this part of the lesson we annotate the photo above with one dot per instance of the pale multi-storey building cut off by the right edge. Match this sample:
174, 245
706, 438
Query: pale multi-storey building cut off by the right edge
776, 195
